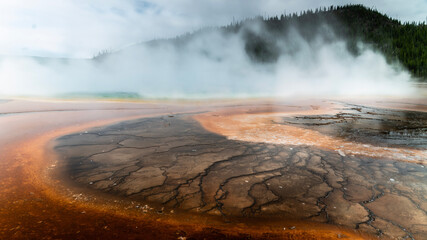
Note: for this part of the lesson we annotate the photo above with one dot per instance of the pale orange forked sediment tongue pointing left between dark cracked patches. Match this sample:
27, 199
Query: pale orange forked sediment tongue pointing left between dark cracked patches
262, 127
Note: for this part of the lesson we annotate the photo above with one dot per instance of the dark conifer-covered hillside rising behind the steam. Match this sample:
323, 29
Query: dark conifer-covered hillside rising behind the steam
405, 43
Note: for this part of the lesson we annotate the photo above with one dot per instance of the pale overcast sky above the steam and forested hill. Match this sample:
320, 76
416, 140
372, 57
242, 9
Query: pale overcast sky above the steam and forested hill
81, 28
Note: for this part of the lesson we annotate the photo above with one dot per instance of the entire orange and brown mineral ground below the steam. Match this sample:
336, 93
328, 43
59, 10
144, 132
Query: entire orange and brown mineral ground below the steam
236, 170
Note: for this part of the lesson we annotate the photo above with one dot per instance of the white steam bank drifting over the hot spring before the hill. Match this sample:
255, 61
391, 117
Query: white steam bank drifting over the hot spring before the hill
215, 64
